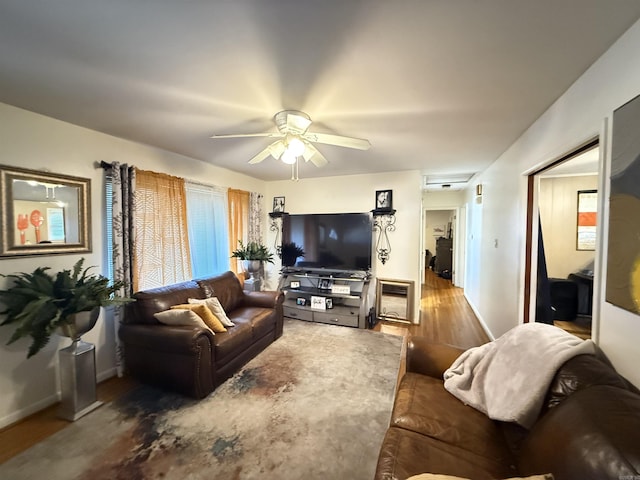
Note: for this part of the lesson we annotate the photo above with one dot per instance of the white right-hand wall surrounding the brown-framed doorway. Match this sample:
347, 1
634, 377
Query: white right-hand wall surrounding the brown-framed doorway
499, 231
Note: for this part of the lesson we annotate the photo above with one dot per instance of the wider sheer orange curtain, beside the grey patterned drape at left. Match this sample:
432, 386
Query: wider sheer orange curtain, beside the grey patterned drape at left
161, 241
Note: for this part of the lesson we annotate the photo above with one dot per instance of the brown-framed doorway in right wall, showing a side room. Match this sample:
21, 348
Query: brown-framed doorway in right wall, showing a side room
561, 241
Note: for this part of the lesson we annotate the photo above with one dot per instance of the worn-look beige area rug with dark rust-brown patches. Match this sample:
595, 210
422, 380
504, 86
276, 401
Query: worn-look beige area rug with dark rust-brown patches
314, 405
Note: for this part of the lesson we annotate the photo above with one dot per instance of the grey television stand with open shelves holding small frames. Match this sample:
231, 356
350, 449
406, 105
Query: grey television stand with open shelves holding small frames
338, 298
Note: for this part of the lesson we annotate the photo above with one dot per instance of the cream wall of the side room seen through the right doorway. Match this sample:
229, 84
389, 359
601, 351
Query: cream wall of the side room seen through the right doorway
558, 203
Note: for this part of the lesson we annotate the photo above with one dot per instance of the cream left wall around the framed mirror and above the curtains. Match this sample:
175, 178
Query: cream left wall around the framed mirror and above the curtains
41, 143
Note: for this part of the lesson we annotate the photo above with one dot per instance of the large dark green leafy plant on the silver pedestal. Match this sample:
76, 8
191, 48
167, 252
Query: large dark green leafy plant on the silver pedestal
38, 303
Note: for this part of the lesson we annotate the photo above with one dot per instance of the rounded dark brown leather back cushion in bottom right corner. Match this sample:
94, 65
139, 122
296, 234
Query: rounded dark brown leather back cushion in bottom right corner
595, 433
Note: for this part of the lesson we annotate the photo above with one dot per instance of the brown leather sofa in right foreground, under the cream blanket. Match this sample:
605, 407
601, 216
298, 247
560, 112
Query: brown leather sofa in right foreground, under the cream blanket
589, 427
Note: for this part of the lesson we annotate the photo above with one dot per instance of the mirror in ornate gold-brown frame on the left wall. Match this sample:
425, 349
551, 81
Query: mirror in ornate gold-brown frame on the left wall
43, 213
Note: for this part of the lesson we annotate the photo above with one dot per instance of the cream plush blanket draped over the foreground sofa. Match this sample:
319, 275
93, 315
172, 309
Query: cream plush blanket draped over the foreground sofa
507, 379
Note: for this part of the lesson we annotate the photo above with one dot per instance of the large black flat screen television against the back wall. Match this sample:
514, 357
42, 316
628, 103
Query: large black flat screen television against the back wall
332, 241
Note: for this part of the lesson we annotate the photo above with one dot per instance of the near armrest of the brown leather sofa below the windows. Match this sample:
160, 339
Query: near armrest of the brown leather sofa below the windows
172, 357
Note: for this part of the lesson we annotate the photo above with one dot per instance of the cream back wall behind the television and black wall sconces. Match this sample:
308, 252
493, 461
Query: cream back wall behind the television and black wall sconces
356, 193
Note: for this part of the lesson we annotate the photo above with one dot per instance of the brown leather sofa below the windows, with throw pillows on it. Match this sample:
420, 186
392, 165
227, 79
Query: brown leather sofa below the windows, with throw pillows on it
192, 360
